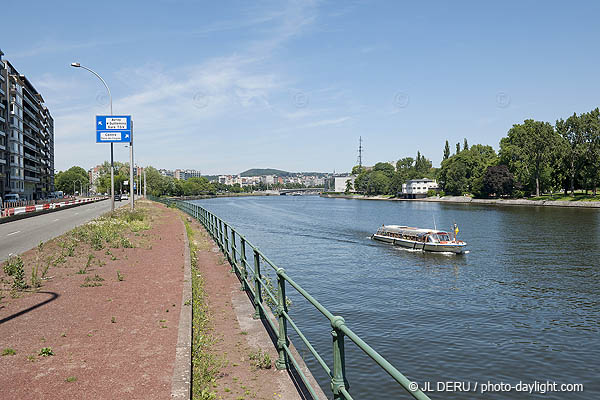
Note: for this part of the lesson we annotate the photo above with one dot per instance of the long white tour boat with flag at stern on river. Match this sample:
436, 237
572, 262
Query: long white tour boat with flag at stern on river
420, 239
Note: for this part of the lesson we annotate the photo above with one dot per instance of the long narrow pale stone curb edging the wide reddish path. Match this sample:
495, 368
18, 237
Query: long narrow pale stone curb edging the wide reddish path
182, 371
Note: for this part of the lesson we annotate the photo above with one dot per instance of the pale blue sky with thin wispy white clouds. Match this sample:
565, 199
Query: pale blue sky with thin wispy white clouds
224, 86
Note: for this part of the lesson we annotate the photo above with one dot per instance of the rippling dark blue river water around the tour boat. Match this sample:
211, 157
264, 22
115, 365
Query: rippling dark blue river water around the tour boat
521, 306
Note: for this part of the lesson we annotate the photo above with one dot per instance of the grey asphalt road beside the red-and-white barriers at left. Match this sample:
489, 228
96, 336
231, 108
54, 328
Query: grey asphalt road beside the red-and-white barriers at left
22, 235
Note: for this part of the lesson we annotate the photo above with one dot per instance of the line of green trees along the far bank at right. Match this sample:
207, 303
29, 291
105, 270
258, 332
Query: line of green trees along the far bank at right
535, 157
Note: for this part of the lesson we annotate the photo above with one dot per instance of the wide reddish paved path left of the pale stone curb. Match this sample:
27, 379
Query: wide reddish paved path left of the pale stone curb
117, 340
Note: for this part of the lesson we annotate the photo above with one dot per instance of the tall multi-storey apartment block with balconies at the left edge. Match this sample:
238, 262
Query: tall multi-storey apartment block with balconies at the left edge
26, 137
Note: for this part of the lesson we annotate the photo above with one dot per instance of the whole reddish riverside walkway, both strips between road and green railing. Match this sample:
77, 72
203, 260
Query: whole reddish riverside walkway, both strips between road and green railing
107, 323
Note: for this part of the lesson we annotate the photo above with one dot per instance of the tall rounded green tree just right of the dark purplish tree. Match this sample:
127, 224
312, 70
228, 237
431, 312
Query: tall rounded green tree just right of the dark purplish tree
527, 152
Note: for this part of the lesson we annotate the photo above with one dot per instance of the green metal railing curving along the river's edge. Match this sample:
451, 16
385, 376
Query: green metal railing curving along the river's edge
234, 246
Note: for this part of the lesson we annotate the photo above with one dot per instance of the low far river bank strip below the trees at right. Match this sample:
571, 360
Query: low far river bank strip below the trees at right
469, 200
